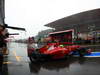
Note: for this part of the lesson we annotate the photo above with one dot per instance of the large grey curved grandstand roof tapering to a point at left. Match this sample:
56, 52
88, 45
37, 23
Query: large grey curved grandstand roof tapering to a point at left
80, 18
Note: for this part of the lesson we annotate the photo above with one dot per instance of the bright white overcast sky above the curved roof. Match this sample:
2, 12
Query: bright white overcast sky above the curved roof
34, 14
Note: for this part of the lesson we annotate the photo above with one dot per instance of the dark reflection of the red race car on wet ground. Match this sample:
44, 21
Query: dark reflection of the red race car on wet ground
53, 65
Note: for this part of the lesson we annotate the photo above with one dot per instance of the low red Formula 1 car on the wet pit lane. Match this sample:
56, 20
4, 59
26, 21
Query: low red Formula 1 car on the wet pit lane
56, 51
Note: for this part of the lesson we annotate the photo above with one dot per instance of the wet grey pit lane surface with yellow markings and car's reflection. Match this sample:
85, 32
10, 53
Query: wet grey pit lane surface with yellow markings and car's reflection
17, 63
